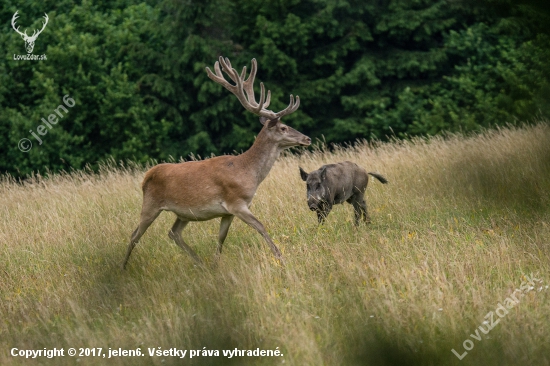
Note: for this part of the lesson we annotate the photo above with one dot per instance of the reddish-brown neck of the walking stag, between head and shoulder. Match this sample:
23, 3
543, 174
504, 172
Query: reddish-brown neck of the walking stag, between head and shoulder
261, 156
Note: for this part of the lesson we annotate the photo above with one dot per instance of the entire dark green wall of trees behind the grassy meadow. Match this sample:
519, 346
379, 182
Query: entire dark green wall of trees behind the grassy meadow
362, 70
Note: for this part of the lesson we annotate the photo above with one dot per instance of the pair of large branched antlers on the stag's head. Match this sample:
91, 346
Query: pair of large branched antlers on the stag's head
247, 86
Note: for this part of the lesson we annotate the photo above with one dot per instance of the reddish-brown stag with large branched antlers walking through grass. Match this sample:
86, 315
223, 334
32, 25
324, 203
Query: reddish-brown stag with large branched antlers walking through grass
225, 185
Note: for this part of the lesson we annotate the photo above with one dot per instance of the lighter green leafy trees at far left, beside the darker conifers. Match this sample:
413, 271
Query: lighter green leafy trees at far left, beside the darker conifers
88, 58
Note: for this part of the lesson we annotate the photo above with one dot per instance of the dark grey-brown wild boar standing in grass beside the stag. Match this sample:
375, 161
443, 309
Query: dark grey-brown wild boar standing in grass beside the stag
333, 184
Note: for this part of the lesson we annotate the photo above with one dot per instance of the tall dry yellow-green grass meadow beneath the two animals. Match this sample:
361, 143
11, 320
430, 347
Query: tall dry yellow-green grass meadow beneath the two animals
461, 223
